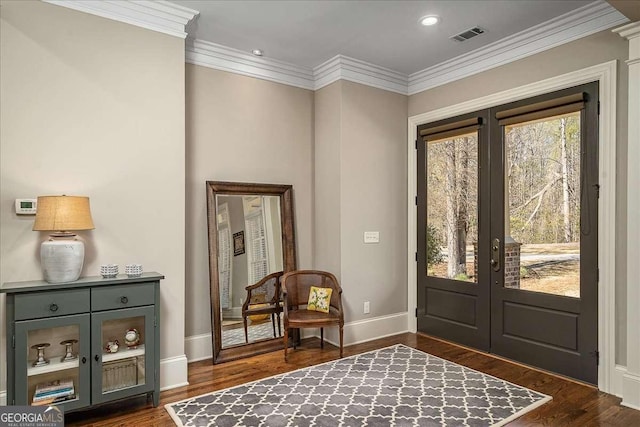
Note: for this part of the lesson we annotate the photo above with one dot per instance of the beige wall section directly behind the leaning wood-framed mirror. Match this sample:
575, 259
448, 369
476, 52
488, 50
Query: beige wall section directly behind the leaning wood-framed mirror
246, 130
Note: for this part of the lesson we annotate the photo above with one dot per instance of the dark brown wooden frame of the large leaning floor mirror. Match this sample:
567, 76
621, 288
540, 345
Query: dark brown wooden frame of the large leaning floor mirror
214, 188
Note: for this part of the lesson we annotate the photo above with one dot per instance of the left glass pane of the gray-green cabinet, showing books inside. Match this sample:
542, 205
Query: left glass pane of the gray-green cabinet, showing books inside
52, 367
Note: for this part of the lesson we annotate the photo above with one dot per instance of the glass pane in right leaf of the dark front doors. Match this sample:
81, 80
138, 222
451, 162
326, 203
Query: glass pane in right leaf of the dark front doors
542, 233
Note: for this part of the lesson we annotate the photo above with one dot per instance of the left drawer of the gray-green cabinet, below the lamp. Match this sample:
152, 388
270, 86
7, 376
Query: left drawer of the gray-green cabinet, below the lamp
51, 303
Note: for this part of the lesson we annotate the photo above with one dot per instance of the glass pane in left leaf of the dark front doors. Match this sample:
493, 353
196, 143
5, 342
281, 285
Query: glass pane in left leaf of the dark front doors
452, 207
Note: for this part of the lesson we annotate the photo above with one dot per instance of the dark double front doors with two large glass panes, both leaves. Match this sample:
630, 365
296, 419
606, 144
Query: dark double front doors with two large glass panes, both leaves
507, 230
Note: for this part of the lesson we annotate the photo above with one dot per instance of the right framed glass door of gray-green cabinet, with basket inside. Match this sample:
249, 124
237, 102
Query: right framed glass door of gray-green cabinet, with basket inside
123, 347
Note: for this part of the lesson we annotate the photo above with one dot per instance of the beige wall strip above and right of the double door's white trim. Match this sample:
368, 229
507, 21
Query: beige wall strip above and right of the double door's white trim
595, 49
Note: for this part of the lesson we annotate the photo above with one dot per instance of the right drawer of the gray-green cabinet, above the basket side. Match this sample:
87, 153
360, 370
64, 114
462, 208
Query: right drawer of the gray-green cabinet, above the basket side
122, 296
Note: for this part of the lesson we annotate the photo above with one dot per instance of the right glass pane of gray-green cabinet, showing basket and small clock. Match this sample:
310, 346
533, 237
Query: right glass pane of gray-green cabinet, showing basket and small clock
123, 353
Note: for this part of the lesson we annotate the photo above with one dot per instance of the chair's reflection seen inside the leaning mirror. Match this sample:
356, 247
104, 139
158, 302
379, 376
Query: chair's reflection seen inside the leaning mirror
263, 298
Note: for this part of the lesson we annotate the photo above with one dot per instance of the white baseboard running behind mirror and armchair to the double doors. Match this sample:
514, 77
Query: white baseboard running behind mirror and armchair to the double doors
198, 347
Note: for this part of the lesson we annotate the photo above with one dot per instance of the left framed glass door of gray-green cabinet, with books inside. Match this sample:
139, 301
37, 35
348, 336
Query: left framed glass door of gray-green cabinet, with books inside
53, 355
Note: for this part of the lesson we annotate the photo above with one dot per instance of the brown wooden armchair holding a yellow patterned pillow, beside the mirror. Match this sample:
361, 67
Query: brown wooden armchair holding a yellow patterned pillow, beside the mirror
295, 296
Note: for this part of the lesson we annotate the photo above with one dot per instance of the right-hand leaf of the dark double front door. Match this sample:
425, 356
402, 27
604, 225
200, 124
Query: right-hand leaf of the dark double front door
551, 324
